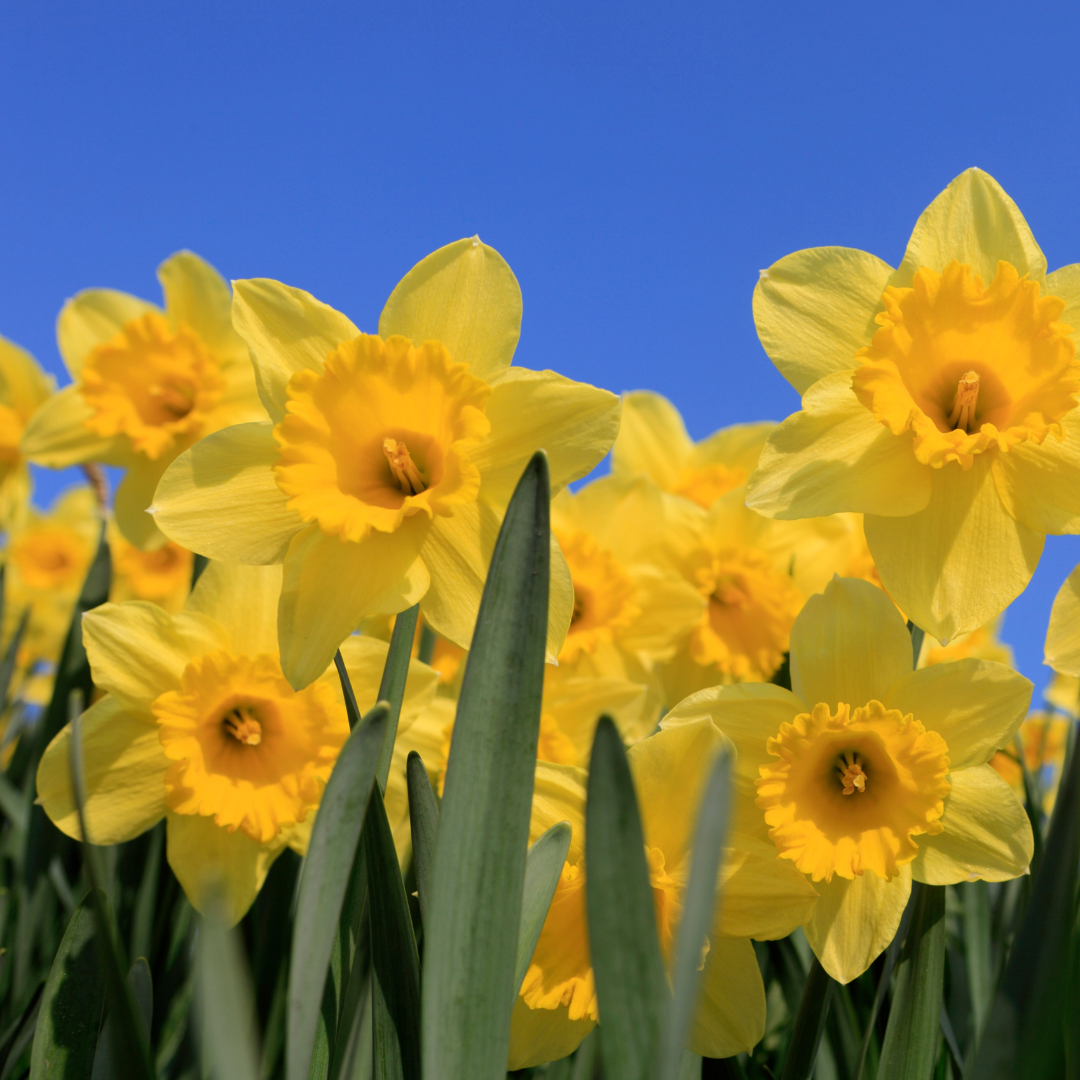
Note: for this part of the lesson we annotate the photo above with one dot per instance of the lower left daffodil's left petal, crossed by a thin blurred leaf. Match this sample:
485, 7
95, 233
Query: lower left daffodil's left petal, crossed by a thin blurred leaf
125, 769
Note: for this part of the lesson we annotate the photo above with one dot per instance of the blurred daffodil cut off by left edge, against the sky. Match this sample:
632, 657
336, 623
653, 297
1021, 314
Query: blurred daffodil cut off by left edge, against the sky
24, 387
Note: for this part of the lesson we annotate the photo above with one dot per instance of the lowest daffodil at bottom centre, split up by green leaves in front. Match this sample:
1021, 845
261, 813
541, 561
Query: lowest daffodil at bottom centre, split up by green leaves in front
763, 897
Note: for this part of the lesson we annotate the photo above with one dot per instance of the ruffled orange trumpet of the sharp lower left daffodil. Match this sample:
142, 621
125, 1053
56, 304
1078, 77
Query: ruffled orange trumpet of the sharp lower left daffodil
247, 749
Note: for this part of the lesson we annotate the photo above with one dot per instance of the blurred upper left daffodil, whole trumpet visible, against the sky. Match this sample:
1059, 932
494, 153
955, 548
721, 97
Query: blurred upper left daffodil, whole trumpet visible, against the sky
146, 384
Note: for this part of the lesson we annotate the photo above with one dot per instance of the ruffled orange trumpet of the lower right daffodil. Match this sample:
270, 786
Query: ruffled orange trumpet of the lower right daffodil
898, 768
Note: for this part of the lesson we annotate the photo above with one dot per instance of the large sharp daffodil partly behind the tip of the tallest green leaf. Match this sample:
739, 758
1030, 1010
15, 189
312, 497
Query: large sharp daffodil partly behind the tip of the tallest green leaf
384, 464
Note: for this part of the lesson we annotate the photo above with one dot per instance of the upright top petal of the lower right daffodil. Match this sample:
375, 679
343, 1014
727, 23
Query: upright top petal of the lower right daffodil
848, 645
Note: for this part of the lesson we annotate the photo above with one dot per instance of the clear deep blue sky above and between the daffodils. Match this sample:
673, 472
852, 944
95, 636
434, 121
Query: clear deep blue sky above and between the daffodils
636, 165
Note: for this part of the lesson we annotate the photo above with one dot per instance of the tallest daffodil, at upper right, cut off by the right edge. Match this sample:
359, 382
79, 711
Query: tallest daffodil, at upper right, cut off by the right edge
939, 399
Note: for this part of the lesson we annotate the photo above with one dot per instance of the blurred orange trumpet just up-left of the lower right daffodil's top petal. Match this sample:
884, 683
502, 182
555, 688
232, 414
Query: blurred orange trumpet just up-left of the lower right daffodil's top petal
748, 623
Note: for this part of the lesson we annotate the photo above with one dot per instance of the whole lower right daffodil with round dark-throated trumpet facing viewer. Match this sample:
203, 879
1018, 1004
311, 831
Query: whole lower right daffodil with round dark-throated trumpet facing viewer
868, 774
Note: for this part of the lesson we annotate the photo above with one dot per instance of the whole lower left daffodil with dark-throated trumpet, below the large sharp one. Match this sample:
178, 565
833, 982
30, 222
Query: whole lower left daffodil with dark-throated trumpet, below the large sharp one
199, 726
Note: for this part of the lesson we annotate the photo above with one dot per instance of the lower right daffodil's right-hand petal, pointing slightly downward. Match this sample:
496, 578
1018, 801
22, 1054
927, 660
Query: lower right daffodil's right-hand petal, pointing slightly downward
987, 833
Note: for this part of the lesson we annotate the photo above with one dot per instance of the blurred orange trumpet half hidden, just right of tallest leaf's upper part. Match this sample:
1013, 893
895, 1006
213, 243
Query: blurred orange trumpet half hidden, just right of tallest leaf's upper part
604, 596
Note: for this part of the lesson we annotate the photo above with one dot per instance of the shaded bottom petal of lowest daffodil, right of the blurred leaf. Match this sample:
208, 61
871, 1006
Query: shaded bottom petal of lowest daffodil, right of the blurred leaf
731, 1017
